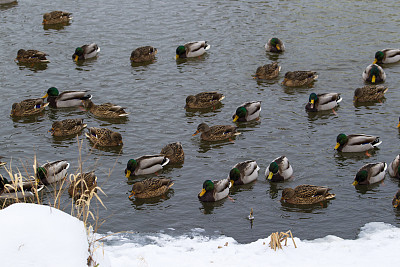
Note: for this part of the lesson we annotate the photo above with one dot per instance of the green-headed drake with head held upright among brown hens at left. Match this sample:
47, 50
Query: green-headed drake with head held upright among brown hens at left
66, 99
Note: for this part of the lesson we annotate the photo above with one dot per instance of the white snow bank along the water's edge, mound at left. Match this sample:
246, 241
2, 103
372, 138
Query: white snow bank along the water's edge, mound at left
35, 235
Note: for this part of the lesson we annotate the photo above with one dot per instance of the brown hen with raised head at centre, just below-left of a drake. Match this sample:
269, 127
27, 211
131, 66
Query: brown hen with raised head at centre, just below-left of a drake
216, 132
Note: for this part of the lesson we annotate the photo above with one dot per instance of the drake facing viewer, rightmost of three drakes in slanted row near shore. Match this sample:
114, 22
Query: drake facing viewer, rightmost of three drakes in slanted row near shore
279, 170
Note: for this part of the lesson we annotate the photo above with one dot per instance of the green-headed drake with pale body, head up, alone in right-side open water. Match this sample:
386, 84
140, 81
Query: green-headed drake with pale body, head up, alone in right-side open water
356, 142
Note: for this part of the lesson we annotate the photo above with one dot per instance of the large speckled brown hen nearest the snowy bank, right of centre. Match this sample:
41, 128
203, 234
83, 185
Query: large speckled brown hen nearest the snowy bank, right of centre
306, 194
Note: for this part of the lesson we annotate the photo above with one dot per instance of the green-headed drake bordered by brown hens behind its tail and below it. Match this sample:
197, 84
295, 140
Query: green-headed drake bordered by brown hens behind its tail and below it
145, 165
